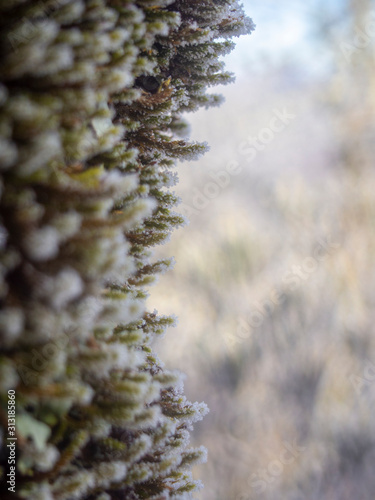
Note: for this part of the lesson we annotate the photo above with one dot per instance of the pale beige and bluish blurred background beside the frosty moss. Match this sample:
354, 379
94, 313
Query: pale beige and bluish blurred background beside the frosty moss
274, 280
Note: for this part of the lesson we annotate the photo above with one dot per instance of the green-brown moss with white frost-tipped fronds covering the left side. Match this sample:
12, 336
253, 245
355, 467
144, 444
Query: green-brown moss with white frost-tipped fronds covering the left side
91, 96
